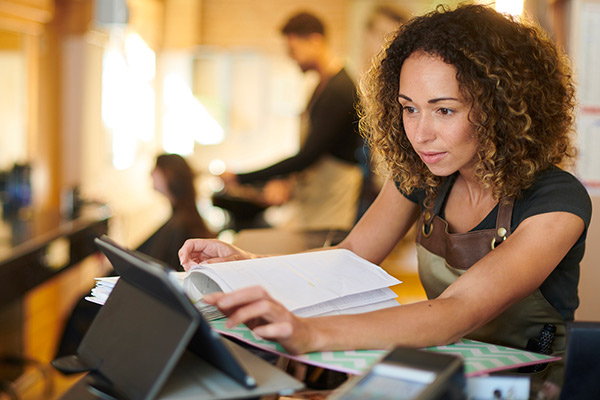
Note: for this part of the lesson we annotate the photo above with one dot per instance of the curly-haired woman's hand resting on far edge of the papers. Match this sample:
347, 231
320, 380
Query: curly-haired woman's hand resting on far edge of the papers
196, 251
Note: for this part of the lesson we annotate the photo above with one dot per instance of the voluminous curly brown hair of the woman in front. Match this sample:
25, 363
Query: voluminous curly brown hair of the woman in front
519, 84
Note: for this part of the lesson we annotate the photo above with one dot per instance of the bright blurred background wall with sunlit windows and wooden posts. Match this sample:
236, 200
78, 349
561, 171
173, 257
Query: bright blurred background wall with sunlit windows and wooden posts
93, 90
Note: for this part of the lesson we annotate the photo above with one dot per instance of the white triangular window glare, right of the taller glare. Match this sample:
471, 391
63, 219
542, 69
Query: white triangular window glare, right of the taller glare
185, 120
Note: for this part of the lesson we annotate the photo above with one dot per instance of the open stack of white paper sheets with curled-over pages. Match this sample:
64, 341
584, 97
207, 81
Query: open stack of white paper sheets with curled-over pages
324, 282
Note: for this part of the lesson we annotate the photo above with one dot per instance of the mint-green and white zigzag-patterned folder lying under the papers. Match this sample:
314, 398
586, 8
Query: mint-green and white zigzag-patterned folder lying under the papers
479, 358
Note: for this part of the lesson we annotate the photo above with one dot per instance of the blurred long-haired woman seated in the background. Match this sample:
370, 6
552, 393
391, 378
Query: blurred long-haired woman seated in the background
172, 177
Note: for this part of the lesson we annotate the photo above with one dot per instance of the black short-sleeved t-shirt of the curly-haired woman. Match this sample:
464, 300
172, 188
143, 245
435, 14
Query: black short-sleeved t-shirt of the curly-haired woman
554, 190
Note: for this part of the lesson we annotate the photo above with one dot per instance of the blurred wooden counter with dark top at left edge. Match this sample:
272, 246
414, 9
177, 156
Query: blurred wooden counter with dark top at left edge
42, 271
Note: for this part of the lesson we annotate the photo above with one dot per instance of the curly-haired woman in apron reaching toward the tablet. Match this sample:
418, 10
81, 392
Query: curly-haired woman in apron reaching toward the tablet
471, 112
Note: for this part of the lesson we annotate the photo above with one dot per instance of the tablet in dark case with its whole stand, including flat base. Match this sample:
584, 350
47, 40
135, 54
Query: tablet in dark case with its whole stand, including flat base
148, 327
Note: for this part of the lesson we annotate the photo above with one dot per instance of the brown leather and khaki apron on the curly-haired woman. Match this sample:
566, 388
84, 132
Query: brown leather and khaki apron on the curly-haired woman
444, 256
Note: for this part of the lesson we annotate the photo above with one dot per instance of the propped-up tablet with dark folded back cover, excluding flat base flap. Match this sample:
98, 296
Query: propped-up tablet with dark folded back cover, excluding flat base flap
148, 320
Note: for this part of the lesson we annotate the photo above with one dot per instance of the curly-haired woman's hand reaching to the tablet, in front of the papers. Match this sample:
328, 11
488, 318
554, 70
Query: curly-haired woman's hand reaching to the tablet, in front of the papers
265, 316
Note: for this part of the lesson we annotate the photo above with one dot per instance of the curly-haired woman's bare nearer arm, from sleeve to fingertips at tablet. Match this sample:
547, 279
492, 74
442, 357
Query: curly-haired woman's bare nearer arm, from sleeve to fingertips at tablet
506, 275
